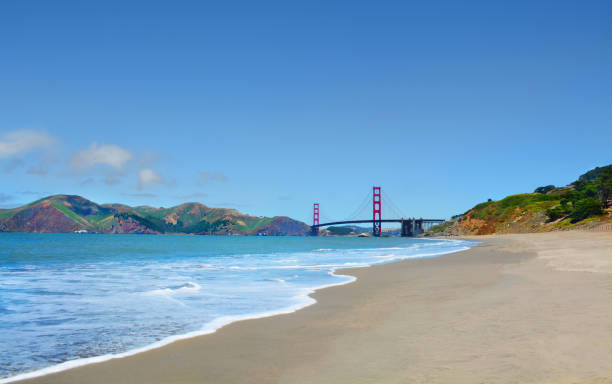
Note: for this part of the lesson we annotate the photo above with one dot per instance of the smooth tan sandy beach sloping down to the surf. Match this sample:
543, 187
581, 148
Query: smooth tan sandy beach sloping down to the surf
533, 308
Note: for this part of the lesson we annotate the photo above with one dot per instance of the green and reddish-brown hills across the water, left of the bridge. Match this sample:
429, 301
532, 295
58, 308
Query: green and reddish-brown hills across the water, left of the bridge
69, 213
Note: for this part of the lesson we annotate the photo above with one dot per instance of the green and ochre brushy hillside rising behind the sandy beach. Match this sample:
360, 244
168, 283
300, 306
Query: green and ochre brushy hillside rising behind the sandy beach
584, 203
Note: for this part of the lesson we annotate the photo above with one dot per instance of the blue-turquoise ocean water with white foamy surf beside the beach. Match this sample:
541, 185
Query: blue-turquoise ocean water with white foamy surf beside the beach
68, 299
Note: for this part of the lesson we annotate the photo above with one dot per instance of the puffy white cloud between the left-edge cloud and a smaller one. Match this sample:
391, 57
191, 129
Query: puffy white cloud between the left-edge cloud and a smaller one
111, 155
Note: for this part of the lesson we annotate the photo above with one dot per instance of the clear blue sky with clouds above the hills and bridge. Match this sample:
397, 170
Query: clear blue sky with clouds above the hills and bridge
270, 106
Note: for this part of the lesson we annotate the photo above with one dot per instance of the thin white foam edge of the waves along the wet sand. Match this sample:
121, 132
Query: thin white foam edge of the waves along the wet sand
218, 323
